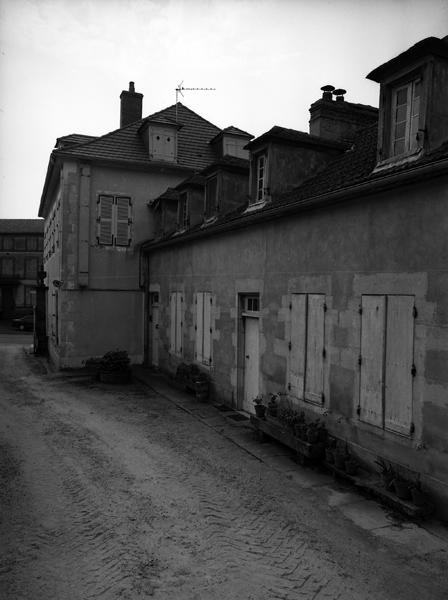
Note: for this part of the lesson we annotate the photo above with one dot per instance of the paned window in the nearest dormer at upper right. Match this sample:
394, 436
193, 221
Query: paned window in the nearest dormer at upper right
405, 117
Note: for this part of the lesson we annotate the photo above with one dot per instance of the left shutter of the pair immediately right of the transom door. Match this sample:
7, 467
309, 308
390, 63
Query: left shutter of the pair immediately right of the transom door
297, 345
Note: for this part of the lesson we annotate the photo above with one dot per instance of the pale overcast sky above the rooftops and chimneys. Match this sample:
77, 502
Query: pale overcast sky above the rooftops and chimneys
64, 64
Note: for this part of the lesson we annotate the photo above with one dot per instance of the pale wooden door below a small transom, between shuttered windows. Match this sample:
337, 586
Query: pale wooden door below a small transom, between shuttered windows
251, 362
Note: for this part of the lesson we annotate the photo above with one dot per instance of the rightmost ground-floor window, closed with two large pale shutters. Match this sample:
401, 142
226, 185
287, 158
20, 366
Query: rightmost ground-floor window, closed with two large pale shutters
386, 362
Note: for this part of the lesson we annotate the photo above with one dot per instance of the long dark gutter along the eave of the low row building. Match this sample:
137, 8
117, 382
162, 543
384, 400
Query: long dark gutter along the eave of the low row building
386, 182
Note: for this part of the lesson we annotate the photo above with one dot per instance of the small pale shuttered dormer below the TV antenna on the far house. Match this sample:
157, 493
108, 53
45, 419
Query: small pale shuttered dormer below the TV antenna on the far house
160, 138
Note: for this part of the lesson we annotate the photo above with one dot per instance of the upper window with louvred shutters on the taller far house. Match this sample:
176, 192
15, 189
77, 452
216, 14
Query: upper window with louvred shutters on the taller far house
114, 220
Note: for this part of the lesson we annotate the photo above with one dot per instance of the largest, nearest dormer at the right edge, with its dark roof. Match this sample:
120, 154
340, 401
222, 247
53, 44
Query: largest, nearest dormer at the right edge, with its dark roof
413, 118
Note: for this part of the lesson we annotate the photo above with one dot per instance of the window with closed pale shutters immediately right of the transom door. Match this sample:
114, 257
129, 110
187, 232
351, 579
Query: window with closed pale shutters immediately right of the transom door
307, 347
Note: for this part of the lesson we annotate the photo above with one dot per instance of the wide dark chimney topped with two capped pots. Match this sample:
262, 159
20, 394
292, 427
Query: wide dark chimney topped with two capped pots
338, 120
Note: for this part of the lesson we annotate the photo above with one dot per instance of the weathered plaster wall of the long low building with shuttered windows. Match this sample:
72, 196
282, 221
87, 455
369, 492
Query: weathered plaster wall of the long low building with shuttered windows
393, 243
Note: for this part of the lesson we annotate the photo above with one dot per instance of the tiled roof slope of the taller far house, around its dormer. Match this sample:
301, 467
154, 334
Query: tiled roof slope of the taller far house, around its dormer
126, 145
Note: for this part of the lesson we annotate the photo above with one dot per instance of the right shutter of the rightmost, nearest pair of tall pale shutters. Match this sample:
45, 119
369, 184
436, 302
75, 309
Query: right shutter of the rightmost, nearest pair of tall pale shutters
399, 361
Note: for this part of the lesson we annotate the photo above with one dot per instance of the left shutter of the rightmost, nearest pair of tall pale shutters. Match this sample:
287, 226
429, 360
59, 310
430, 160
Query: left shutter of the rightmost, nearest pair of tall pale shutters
372, 356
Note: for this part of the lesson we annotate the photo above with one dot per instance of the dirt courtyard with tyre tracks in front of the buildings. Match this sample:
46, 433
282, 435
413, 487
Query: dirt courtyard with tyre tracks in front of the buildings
114, 492
